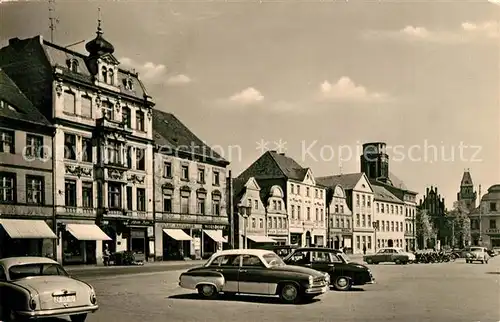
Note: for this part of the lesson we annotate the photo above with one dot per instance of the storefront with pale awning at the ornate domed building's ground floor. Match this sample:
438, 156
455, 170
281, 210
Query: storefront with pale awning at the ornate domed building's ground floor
80, 242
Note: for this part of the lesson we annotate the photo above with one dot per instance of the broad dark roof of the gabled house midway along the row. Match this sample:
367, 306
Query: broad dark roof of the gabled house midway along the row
274, 165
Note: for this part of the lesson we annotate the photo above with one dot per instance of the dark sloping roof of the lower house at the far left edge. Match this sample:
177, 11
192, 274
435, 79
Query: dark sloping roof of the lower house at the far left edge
21, 107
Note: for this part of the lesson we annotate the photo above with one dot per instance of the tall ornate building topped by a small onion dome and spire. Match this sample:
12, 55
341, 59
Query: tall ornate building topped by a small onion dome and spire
103, 146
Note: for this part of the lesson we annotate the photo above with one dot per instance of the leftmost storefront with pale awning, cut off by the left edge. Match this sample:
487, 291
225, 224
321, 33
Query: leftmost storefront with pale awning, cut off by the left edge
26, 237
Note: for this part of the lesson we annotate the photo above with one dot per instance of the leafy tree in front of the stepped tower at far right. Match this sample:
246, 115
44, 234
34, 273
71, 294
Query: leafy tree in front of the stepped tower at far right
459, 224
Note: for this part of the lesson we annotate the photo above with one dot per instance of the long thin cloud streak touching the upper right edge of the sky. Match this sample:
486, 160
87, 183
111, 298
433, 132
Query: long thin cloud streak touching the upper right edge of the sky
465, 33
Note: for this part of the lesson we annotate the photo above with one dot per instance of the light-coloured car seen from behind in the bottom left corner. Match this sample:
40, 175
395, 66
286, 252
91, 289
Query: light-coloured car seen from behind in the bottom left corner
39, 287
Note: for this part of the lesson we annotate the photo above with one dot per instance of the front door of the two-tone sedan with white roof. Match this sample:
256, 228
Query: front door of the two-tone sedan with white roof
252, 278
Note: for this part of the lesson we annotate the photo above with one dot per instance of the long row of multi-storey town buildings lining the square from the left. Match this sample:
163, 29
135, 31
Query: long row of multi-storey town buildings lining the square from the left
87, 162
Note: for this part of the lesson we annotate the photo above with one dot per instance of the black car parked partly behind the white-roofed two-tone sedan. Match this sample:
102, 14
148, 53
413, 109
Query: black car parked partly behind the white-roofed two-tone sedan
344, 274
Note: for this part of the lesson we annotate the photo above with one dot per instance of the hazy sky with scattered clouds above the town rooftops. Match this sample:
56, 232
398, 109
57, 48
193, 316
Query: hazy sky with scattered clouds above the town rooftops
311, 79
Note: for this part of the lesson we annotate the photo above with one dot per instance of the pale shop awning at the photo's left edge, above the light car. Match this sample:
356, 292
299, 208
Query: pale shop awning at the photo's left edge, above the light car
26, 228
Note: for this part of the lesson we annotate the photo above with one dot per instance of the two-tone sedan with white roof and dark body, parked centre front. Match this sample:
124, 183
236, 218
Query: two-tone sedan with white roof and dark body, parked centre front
254, 271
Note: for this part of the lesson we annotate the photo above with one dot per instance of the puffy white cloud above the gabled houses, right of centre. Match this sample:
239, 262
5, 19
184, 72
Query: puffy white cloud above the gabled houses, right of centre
345, 90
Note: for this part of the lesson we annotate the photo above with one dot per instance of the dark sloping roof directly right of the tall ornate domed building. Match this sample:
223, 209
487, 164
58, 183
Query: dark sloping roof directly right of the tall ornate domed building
173, 137
